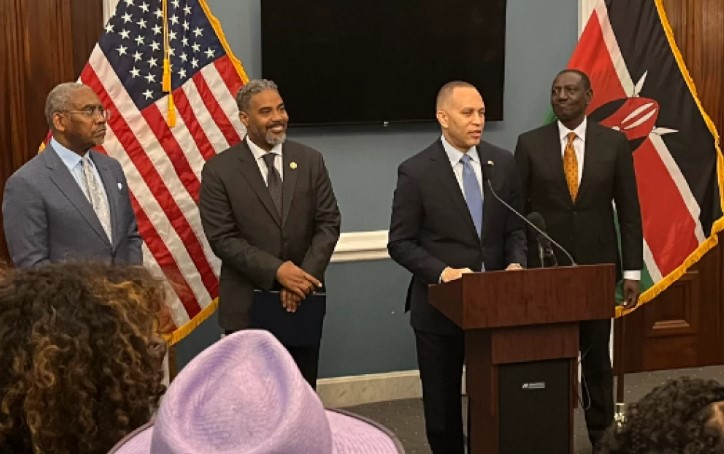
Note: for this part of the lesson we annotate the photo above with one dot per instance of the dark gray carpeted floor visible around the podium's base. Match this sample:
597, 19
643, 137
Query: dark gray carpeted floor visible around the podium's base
405, 418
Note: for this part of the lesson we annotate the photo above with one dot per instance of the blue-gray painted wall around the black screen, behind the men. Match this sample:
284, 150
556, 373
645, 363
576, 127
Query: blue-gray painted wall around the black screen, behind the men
366, 330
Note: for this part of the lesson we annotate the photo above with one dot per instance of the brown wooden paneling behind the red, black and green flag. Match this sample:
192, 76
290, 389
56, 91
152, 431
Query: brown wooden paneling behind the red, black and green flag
682, 327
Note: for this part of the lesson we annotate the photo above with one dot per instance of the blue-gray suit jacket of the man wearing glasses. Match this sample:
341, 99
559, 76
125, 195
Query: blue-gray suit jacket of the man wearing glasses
47, 218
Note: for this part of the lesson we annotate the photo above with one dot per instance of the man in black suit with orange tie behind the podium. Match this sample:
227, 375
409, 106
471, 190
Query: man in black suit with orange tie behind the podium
572, 170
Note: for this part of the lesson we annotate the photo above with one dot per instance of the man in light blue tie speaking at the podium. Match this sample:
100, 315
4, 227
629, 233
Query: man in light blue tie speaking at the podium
444, 225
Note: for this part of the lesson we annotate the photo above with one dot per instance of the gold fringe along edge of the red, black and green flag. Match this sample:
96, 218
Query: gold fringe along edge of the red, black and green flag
718, 225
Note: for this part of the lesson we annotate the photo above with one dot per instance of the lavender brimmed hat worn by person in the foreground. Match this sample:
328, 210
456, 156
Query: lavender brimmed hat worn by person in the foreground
244, 394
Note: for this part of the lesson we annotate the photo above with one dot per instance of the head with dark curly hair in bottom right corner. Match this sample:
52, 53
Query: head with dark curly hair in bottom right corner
684, 416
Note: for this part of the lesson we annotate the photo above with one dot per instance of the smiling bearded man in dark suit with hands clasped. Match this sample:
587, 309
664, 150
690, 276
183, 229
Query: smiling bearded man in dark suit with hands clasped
270, 215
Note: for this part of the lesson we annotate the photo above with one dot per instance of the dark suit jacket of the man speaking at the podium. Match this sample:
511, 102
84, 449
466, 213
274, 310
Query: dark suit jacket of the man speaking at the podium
431, 227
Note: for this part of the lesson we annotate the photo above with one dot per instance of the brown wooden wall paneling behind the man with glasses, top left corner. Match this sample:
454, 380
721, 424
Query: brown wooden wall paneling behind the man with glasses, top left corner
40, 41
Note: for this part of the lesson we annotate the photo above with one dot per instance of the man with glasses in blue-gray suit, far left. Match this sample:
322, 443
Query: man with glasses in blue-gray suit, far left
71, 202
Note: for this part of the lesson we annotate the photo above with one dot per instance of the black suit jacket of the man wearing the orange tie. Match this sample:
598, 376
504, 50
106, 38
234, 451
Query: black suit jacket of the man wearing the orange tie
585, 228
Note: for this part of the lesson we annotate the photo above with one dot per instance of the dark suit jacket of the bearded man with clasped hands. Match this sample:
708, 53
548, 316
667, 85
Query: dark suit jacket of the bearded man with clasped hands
246, 232
